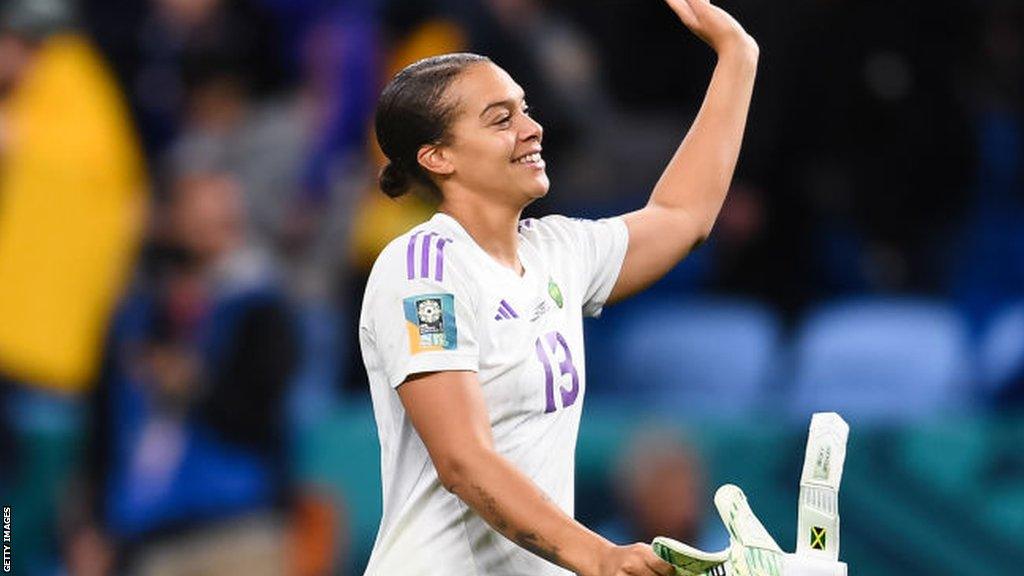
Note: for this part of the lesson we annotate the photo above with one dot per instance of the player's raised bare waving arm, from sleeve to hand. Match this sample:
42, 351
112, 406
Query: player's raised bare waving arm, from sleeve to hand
688, 198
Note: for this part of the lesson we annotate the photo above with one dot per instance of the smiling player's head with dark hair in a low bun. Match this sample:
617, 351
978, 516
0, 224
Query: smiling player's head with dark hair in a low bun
475, 119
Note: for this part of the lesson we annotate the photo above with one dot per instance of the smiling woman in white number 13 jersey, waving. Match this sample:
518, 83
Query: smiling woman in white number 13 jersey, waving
472, 325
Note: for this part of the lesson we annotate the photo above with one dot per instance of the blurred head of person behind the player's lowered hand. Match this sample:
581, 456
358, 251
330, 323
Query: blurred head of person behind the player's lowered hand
661, 491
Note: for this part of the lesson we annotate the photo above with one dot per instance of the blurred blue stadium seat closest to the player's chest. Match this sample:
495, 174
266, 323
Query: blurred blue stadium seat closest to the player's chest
710, 357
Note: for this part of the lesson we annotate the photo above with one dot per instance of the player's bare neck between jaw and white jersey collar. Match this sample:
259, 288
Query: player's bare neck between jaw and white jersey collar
493, 226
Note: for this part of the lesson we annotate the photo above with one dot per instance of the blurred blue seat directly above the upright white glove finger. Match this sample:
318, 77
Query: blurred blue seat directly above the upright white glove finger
882, 359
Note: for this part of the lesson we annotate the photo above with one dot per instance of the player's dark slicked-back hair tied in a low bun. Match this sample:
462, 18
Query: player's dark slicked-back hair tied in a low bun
412, 112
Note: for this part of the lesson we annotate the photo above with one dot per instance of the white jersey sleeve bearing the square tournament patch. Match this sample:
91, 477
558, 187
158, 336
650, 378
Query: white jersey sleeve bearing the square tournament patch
422, 324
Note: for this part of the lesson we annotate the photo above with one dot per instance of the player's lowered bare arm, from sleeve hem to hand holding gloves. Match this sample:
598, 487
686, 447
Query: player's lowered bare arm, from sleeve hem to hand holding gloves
449, 413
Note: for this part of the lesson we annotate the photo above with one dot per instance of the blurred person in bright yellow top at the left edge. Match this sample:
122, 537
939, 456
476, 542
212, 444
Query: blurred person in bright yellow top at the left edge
71, 188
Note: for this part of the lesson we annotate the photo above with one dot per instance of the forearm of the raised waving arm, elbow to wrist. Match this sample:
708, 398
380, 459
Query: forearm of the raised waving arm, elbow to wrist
697, 180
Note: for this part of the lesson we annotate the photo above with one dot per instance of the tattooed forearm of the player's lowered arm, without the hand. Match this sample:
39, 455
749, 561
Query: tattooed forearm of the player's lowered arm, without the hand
514, 506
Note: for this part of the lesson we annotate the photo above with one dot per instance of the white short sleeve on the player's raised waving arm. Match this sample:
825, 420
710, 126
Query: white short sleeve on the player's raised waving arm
600, 248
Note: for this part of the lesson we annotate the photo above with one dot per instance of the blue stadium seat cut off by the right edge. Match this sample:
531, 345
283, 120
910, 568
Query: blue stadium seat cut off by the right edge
1002, 350
